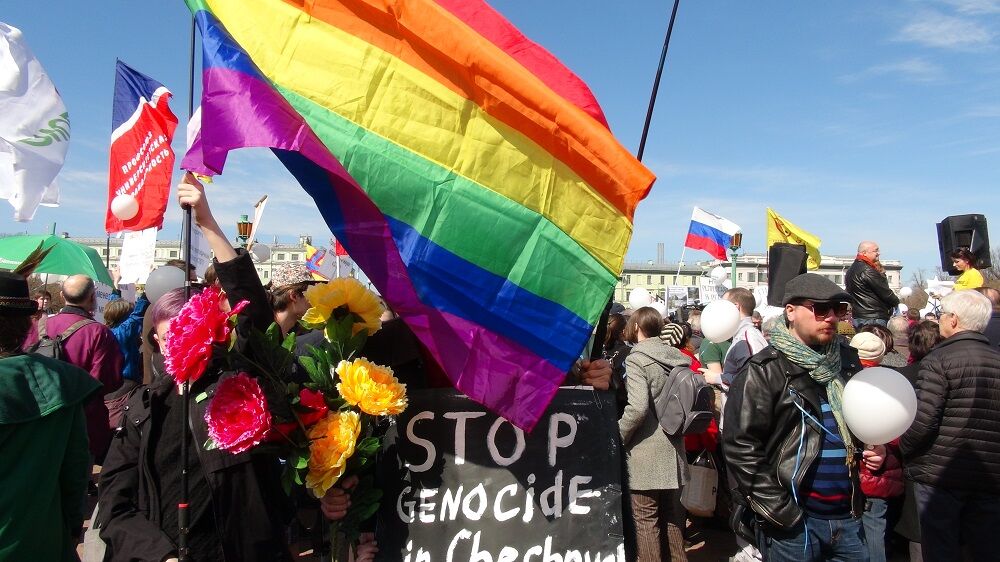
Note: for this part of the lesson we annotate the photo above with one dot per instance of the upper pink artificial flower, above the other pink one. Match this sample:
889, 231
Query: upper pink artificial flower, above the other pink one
191, 334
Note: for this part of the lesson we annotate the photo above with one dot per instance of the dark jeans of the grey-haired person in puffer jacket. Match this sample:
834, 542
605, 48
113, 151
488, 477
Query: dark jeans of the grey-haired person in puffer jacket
947, 516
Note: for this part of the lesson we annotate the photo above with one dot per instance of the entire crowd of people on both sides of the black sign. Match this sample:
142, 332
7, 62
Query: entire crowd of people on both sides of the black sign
794, 482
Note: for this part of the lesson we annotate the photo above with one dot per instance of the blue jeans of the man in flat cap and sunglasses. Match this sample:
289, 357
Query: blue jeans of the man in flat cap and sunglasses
815, 540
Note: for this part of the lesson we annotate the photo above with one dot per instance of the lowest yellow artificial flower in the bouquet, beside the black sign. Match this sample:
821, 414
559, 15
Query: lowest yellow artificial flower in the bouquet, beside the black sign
332, 442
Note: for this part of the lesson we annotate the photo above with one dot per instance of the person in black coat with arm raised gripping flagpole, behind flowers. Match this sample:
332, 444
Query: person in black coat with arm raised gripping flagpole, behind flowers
238, 510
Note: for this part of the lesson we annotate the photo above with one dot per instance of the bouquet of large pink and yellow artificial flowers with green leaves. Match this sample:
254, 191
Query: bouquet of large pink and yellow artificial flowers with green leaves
324, 428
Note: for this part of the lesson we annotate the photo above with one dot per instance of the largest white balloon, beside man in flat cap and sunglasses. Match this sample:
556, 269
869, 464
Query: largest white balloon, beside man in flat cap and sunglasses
879, 405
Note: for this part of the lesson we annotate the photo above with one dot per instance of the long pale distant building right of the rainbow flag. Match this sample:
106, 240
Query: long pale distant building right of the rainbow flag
751, 272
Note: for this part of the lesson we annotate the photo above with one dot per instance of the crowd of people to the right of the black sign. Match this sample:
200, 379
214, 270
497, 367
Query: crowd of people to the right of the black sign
800, 485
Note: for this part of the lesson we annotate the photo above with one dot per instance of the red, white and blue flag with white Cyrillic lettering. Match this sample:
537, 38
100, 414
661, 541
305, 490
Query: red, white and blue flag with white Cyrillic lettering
142, 162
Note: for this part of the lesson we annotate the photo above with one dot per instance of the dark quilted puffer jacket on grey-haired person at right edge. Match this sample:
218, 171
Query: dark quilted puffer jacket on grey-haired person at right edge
954, 441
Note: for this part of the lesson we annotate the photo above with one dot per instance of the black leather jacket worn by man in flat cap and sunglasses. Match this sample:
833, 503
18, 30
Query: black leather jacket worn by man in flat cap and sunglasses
763, 429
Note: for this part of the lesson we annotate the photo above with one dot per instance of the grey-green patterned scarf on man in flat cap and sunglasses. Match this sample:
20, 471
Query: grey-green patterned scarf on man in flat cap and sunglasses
824, 368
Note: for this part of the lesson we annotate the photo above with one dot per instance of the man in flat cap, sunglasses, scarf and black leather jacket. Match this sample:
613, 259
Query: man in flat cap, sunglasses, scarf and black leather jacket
784, 436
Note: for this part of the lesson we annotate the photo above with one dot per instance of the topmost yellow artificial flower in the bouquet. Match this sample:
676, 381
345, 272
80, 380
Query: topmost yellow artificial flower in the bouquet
343, 292
